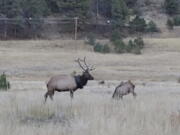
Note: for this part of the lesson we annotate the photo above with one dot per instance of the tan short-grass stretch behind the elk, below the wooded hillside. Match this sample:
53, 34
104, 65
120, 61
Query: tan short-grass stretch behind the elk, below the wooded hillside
38, 60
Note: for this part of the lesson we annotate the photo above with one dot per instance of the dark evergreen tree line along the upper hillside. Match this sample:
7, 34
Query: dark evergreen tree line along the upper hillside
27, 13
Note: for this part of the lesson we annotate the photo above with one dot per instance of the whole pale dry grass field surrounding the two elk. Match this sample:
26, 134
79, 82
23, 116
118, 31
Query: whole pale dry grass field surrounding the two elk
29, 64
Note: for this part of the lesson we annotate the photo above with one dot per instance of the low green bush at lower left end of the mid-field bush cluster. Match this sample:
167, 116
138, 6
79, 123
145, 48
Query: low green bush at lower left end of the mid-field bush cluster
101, 48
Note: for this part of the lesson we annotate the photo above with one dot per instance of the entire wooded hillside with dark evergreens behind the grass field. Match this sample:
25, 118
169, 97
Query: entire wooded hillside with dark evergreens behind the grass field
27, 19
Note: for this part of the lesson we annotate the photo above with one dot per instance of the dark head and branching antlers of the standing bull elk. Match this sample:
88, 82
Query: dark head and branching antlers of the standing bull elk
86, 69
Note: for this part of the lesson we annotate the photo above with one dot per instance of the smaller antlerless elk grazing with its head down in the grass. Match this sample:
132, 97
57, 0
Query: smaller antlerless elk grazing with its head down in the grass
123, 89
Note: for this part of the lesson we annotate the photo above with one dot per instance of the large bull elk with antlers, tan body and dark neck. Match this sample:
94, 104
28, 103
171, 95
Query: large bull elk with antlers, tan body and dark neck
65, 83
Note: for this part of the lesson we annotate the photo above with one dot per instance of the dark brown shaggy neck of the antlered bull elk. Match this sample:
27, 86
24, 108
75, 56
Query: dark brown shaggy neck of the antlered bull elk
81, 81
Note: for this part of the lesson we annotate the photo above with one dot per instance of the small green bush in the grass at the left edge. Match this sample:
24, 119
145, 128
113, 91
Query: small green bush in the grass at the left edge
4, 84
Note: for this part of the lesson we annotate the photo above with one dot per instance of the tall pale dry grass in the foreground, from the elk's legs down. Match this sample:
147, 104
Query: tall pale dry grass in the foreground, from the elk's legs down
90, 113
